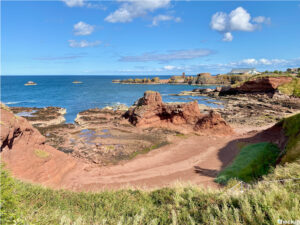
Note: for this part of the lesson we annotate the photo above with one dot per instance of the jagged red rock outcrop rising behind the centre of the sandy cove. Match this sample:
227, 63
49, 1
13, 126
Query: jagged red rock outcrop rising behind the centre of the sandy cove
151, 111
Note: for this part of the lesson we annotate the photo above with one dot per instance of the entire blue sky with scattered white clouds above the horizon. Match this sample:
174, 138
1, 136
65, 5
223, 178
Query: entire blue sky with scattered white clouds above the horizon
147, 37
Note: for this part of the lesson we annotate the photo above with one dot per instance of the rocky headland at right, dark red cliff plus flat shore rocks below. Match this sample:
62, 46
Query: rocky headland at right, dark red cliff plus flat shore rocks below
257, 102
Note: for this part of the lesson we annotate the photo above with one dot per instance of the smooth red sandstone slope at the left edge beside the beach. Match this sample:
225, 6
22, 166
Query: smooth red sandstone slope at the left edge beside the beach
25, 153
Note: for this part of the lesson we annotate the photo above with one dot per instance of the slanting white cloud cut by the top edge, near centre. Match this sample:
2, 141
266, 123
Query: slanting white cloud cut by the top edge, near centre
131, 9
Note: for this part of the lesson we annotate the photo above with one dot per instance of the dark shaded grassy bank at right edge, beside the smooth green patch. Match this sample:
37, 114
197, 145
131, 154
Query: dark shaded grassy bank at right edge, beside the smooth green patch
291, 126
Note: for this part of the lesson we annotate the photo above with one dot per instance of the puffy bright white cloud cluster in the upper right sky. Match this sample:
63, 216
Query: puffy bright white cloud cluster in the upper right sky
237, 20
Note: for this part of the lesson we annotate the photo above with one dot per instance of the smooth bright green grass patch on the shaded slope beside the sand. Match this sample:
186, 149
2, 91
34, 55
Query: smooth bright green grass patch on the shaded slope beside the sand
252, 162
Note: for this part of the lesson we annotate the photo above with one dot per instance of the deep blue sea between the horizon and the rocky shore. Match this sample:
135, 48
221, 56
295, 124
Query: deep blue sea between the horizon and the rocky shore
95, 91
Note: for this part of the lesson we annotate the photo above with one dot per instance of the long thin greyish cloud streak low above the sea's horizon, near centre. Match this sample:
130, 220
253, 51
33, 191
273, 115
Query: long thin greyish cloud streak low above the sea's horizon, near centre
169, 56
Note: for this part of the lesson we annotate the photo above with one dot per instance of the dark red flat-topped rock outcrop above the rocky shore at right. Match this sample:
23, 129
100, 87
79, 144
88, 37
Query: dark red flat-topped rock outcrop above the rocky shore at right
258, 85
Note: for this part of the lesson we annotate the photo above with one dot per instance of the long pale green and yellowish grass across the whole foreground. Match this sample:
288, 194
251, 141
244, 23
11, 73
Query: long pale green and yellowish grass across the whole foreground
264, 203
